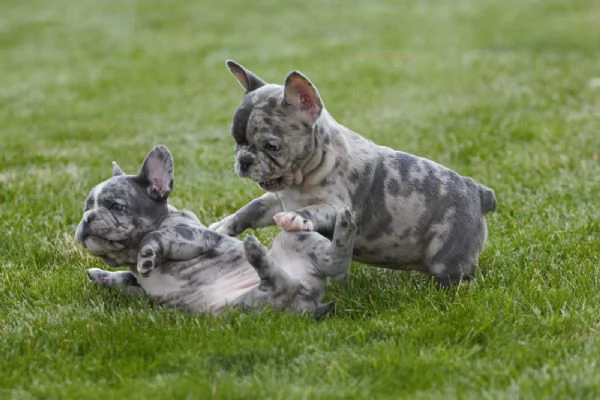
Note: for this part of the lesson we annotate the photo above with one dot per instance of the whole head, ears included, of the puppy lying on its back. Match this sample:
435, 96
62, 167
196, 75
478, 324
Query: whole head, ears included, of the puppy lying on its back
121, 210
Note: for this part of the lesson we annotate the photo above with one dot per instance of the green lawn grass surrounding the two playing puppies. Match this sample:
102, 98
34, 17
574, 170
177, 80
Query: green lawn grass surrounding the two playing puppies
506, 92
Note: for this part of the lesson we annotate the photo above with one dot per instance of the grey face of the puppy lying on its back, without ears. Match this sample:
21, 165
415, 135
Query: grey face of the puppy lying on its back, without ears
117, 213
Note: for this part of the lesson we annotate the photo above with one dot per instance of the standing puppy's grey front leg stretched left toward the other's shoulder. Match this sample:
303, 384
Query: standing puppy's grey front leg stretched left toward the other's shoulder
256, 214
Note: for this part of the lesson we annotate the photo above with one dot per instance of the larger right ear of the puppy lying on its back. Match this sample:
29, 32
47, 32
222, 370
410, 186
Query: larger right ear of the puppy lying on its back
157, 173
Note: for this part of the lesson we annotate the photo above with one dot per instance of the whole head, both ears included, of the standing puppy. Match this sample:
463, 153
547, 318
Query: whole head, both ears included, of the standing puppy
274, 129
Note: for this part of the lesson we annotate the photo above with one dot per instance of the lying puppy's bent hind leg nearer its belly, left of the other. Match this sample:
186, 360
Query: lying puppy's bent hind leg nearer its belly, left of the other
272, 278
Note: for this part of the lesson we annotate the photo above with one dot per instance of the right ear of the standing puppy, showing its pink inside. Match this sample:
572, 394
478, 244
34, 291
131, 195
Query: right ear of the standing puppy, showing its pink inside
302, 94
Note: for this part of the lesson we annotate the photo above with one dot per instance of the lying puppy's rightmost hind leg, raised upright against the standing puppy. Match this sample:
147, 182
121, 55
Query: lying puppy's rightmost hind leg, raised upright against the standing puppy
339, 250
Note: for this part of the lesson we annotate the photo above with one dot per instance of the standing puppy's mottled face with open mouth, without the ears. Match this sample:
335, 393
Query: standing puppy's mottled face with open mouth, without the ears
273, 141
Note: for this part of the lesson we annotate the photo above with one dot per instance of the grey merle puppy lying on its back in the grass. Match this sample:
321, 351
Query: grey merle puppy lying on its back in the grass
174, 259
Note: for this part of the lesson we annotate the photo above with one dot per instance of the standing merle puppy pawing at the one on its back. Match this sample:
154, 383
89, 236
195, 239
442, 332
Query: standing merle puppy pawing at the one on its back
412, 213
